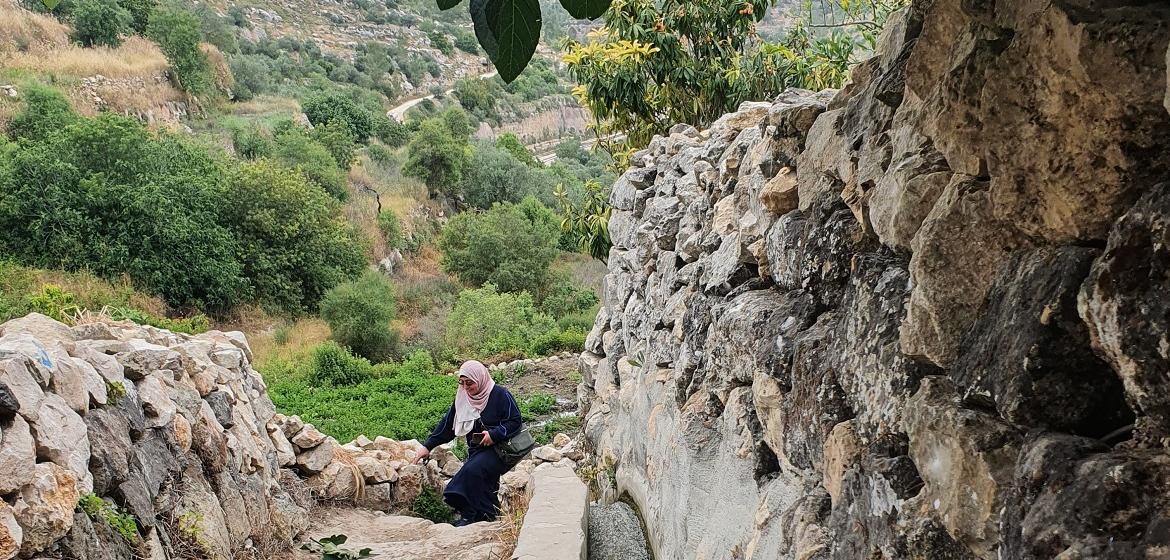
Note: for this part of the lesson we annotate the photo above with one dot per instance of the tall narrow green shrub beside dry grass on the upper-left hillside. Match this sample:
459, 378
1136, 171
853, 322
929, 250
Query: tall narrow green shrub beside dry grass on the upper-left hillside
177, 32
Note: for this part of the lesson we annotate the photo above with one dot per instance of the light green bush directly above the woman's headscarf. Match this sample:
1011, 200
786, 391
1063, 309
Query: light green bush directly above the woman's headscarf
486, 322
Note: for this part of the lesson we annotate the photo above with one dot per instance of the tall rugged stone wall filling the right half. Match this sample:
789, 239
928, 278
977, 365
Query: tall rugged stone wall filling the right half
920, 319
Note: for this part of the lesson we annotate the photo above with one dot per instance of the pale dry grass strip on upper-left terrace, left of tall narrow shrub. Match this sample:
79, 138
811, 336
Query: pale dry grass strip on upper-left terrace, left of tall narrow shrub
136, 58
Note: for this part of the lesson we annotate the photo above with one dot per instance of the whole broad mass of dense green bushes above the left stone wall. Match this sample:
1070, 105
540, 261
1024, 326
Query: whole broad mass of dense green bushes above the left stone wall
178, 218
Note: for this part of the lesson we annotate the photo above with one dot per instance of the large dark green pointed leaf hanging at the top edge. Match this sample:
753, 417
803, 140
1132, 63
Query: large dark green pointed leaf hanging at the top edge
508, 31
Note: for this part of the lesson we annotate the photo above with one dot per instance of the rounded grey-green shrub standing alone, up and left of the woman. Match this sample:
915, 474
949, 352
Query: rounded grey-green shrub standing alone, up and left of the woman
360, 314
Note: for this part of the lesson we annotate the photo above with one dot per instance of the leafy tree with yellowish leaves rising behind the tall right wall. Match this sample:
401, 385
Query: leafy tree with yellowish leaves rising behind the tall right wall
659, 64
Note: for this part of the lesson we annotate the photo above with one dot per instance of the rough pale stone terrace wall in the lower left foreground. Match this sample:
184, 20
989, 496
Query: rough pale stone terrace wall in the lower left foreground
171, 430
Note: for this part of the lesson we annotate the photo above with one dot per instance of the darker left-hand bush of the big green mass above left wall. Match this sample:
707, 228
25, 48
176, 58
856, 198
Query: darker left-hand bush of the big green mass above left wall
123, 203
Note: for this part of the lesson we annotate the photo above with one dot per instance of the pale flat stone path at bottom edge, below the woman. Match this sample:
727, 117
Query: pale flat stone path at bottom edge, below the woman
401, 538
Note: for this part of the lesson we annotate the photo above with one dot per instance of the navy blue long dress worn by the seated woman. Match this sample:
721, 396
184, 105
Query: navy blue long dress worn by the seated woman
474, 488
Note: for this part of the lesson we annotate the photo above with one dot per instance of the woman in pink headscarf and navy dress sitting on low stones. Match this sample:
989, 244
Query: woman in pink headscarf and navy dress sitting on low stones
487, 414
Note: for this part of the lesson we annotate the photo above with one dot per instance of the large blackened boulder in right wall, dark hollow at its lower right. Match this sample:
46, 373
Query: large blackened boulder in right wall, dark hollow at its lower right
1029, 350
